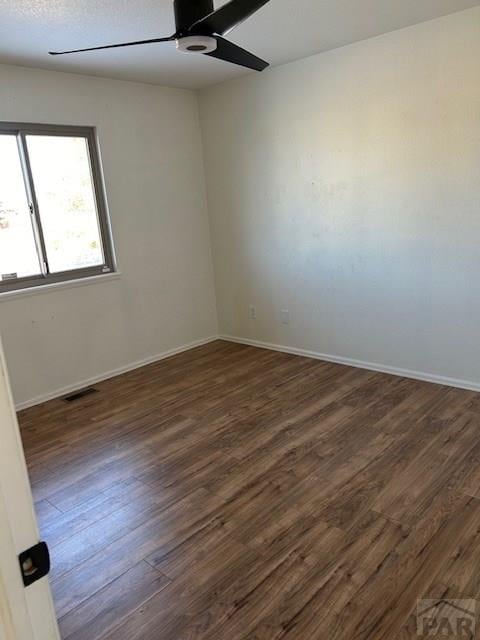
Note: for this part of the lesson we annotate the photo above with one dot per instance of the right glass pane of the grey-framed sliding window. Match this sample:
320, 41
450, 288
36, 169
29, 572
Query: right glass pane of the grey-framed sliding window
66, 200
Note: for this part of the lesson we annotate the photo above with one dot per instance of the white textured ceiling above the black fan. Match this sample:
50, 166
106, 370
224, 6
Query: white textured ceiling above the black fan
282, 31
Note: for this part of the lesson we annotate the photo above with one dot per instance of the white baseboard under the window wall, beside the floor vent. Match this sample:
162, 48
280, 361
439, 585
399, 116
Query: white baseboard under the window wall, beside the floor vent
57, 393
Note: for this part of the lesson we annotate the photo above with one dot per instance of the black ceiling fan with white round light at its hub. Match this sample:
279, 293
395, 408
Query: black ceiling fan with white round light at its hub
199, 29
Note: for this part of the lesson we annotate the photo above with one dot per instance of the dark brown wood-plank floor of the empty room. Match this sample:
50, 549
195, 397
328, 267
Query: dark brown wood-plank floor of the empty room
235, 493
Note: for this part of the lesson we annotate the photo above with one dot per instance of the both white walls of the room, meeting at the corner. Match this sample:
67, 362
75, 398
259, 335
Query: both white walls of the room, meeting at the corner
344, 187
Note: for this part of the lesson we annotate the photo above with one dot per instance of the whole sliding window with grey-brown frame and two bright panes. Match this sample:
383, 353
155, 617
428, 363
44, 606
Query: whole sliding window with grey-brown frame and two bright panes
53, 220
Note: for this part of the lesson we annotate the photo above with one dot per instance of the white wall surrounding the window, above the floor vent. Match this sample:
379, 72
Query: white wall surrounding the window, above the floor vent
152, 159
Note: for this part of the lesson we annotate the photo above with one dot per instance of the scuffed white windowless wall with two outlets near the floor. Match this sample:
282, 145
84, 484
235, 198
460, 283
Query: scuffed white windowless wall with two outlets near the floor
346, 188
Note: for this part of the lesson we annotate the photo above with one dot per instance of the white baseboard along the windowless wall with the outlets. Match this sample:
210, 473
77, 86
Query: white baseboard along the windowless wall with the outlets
372, 366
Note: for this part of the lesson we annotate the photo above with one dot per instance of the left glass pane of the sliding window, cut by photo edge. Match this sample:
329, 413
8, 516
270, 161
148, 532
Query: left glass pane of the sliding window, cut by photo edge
18, 252
